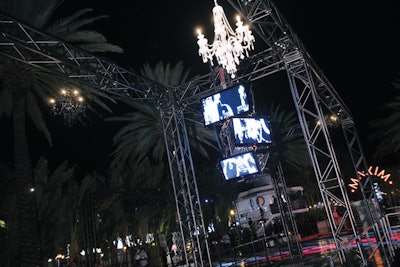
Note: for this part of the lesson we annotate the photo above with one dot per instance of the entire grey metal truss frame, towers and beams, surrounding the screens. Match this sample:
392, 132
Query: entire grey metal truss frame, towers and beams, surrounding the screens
313, 96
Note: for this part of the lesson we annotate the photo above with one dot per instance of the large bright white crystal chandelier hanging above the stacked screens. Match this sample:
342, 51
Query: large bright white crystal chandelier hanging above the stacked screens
229, 46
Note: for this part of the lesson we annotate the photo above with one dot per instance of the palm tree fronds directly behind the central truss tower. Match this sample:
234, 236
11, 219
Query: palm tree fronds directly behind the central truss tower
142, 135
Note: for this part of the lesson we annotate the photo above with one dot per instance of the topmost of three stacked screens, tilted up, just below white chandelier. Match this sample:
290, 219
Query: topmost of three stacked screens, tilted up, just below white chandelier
225, 104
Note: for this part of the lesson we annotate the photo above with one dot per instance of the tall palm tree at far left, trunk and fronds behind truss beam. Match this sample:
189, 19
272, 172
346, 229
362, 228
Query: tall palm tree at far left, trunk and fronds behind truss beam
23, 89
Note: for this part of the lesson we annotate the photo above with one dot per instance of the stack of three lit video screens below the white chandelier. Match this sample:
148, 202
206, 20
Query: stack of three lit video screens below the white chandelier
232, 105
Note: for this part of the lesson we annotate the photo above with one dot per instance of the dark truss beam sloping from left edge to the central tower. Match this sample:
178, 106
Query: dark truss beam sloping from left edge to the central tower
28, 45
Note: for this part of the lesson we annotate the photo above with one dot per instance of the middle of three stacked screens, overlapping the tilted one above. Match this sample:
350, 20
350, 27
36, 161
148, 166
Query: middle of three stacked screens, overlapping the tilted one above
251, 131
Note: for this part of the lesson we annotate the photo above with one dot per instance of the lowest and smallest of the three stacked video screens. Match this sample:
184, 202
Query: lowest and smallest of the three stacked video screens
239, 165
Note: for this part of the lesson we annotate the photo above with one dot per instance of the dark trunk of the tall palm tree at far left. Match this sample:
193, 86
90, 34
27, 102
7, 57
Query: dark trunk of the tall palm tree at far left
28, 251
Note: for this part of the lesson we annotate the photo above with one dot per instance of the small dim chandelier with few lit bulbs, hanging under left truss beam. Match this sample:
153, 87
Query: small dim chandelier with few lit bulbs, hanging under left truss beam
69, 105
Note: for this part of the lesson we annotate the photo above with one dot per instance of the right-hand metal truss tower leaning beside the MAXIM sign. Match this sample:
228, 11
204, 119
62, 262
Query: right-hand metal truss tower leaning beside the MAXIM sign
315, 100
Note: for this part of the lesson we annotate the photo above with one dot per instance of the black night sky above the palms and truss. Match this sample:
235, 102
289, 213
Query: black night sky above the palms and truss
356, 45
